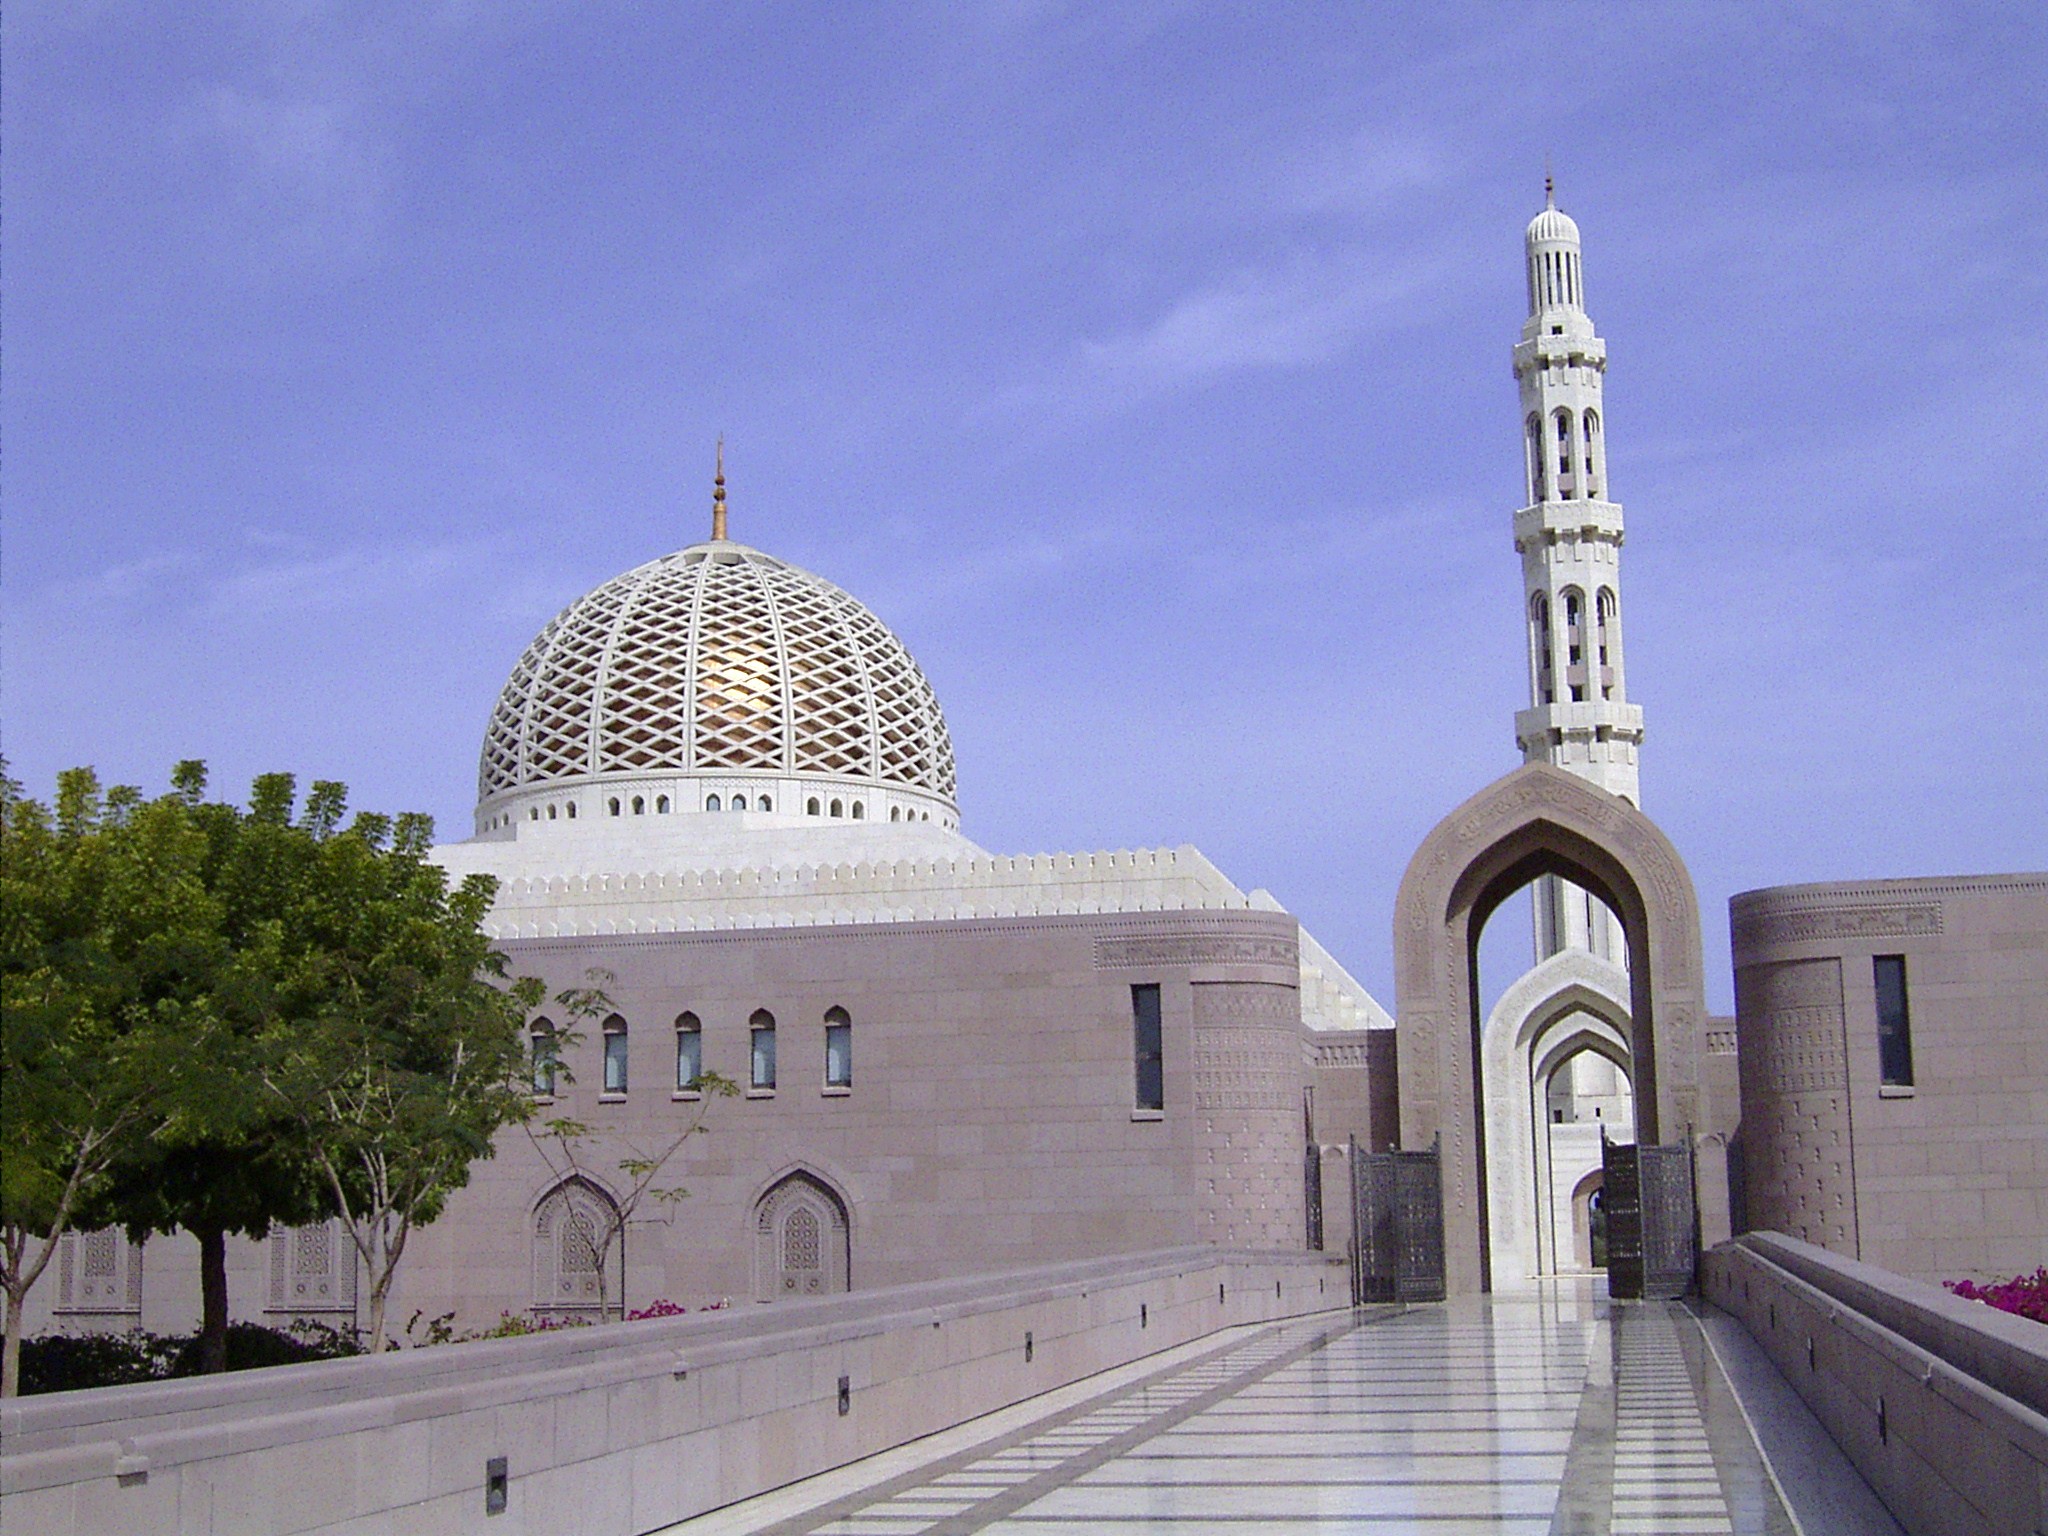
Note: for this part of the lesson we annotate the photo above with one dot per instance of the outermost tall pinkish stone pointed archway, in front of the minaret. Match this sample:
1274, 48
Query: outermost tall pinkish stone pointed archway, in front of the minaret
1537, 820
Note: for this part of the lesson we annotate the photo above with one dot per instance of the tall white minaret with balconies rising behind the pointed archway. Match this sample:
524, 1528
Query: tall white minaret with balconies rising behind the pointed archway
1570, 538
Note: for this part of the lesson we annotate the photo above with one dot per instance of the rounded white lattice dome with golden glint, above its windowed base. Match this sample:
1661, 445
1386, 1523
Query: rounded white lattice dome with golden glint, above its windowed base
718, 660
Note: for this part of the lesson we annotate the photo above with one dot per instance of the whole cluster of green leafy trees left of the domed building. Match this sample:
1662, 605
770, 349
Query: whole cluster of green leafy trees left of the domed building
224, 1019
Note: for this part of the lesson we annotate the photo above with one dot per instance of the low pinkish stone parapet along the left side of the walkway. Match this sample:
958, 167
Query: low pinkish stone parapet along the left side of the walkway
611, 1431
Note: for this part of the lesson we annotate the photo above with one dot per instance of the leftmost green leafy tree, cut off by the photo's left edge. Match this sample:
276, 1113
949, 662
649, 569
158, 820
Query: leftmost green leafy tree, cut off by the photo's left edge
101, 904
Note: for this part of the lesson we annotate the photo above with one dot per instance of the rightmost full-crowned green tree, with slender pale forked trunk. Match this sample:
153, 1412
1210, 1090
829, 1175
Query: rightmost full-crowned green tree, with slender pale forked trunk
413, 1056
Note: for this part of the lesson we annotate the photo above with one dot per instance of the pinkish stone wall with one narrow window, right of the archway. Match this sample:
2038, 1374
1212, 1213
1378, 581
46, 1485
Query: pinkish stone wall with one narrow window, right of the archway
1938, 1181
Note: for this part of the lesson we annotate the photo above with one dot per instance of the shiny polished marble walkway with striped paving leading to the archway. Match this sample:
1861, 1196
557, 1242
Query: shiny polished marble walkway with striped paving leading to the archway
1555, 1412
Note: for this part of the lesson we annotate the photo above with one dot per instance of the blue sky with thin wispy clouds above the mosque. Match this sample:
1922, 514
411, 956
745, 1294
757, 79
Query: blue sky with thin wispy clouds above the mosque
1146, 368
